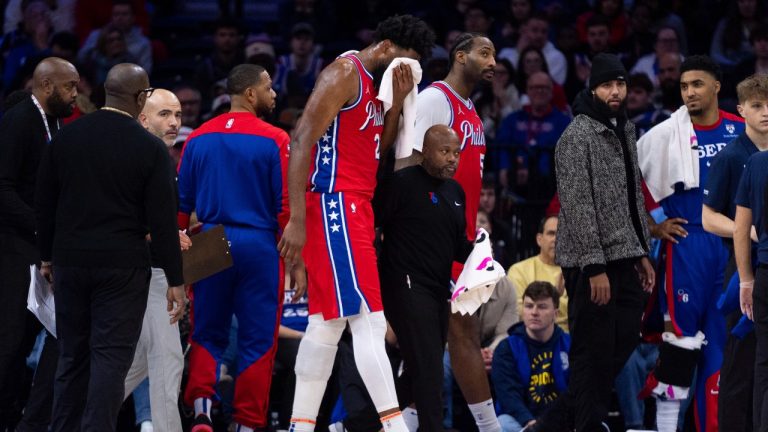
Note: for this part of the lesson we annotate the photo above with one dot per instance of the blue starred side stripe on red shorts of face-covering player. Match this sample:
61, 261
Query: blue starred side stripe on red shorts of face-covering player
340, 253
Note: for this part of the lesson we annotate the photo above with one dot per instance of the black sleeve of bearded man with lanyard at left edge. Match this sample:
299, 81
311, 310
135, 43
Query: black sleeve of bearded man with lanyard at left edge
13, 210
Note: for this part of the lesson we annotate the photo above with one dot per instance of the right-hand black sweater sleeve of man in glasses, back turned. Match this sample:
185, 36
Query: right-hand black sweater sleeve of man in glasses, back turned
159, 206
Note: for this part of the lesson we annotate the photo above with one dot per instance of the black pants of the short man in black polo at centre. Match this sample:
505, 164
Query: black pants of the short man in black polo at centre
419, 318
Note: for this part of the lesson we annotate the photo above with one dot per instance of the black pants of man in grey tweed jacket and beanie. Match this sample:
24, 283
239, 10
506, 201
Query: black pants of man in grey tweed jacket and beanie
602, 339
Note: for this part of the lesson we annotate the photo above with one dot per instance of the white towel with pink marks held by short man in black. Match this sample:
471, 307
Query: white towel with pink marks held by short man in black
478, 279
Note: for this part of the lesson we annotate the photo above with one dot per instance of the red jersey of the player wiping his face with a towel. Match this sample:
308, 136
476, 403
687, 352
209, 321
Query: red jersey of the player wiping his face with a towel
346, 157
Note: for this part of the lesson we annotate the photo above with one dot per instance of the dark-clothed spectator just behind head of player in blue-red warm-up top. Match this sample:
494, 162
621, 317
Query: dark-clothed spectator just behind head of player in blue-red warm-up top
227, 53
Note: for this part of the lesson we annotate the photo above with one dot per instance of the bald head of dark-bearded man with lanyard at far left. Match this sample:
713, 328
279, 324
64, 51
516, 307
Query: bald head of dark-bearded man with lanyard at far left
54, 84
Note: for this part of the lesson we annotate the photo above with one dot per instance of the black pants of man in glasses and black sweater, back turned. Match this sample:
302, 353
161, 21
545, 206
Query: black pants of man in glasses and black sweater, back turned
99, 312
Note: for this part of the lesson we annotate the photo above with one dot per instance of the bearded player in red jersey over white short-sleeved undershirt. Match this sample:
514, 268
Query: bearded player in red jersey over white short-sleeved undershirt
448, 102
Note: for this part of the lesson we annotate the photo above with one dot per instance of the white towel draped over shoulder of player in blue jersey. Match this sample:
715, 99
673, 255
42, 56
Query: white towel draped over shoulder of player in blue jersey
668, 154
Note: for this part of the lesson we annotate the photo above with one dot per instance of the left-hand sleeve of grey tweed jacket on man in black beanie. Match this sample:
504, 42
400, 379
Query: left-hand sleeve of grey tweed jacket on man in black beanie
575, 191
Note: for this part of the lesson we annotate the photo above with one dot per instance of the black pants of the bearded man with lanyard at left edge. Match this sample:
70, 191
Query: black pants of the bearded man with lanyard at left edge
20, 328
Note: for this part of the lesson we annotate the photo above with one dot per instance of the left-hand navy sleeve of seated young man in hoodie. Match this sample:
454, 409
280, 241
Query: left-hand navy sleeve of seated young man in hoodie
507, 383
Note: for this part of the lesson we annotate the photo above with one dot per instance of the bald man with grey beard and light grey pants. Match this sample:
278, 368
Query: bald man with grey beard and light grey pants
158, 353
